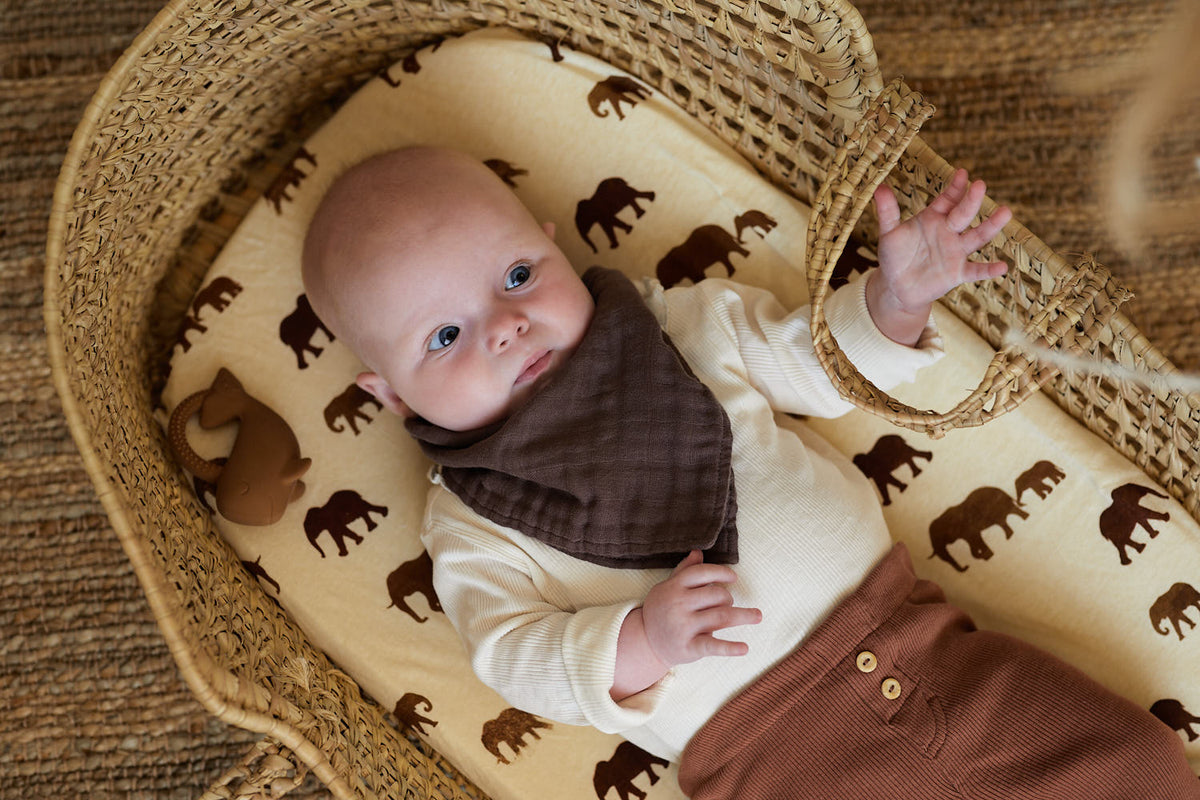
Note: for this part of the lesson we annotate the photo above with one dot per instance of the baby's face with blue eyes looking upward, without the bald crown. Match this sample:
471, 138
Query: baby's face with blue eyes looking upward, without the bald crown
472, 312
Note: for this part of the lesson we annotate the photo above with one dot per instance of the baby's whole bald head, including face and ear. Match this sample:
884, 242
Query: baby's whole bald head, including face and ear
431, 270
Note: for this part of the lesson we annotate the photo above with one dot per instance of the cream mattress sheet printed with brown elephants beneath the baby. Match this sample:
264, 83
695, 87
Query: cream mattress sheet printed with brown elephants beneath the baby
627, 185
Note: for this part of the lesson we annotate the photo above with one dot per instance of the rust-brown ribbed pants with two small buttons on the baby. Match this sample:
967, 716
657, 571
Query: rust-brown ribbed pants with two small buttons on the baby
897, 695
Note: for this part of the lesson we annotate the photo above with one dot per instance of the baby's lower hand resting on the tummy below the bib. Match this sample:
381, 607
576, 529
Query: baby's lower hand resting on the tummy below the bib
681, 615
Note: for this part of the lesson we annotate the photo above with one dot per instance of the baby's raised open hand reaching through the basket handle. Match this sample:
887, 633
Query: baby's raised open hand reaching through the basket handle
926, 256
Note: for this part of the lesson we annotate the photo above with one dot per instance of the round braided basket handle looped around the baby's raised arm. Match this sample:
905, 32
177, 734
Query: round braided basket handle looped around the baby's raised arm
878, 143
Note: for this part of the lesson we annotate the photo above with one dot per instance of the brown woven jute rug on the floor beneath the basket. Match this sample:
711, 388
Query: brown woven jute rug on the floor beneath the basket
91, 701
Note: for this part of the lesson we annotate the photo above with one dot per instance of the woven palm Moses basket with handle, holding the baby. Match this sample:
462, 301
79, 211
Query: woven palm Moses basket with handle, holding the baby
202, 112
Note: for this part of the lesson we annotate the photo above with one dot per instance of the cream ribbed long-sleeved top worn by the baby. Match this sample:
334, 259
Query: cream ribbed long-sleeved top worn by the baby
542, 627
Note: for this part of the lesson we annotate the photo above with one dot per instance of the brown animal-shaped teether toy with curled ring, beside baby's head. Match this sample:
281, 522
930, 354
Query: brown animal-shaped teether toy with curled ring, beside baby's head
262, 473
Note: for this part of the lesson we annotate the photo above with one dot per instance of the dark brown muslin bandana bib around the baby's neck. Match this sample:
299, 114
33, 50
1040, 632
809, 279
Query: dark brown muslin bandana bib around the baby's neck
623, 459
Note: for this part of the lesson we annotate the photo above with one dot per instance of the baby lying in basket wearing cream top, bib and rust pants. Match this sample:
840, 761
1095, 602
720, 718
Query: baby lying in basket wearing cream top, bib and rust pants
614, 490
